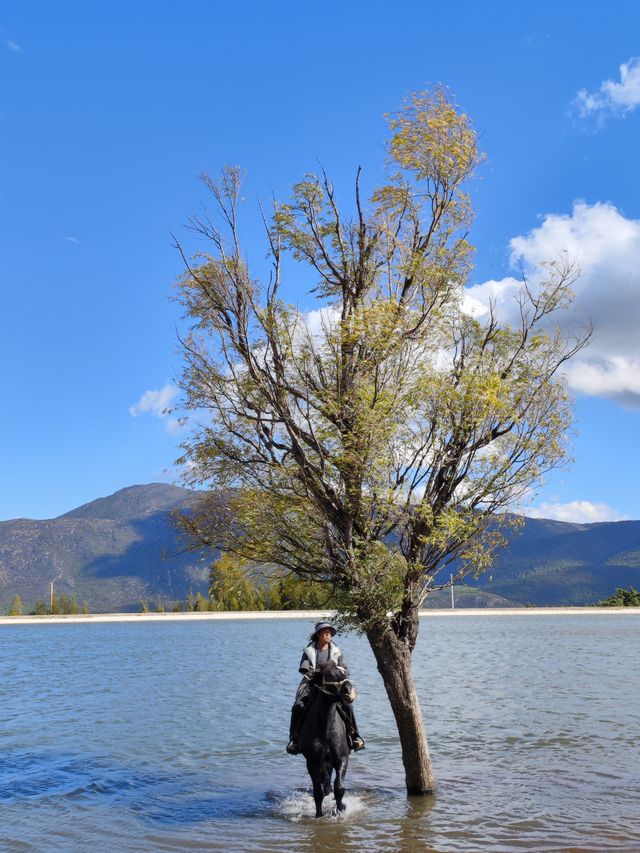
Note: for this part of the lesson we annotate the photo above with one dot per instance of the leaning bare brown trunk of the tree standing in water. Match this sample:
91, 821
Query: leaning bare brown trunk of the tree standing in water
393, 657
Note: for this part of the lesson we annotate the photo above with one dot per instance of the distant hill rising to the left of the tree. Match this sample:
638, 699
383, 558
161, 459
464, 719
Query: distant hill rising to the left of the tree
111, 552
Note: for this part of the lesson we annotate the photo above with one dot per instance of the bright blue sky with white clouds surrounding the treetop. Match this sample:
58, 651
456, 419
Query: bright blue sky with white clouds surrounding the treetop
110, 110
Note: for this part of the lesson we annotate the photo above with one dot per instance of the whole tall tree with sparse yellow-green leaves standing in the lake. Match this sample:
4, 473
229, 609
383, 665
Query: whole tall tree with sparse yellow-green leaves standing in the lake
382, 437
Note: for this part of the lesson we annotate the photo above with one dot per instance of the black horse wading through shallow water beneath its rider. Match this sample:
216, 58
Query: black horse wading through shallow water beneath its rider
323, 734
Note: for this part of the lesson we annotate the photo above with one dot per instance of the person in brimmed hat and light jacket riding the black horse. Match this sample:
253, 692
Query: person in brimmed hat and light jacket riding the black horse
320, 650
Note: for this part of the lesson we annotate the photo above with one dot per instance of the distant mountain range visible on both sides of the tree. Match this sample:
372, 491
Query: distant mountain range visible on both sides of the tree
120, 549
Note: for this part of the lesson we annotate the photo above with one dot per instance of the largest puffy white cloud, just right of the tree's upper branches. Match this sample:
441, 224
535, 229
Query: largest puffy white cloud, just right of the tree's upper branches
606, 246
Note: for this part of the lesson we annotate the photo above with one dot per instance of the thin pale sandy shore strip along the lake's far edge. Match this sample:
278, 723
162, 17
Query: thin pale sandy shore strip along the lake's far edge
312, 615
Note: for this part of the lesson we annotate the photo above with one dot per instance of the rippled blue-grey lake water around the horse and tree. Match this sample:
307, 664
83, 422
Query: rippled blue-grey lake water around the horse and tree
170, 737
